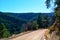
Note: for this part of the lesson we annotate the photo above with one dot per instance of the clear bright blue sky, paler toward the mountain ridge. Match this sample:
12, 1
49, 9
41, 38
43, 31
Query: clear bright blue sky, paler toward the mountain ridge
23, 6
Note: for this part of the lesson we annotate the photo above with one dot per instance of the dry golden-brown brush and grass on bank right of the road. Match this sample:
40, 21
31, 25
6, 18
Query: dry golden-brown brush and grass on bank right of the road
53, 32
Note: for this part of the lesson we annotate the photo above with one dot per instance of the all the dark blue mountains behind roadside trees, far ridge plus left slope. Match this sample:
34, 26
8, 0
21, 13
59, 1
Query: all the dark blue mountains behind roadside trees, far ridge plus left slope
14, 21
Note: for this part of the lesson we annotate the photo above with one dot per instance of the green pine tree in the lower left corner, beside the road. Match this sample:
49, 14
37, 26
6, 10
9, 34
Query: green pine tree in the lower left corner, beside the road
4, 32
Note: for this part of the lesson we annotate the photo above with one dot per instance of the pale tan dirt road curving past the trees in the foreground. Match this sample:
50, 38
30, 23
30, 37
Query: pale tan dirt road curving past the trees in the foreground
35, 35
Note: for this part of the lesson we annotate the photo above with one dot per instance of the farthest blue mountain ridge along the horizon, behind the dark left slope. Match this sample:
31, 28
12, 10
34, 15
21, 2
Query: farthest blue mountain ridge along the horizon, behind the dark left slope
27, 16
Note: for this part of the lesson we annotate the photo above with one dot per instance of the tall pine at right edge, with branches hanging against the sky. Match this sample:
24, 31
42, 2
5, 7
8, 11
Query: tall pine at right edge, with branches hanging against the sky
56, 10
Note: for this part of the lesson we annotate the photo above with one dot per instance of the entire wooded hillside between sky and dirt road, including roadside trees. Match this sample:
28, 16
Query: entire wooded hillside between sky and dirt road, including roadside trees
18, 22
